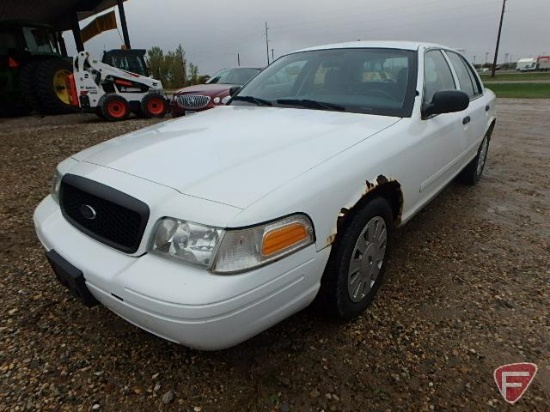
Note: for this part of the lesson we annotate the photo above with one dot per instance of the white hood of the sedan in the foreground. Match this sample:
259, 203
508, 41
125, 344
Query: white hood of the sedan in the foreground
237, 154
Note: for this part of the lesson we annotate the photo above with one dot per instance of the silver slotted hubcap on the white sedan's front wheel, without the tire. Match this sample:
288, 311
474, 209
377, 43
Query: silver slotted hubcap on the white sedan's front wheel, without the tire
367, 259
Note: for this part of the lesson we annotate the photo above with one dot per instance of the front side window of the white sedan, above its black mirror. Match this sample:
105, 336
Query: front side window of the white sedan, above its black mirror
437, 75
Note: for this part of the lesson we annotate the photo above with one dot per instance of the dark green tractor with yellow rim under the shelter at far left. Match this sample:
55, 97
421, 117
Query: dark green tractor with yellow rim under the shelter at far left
34, 71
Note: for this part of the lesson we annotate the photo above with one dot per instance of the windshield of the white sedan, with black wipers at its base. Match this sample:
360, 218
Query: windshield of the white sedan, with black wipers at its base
359, 80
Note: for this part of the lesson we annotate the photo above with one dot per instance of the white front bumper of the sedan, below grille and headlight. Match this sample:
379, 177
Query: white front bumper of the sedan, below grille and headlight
179, 302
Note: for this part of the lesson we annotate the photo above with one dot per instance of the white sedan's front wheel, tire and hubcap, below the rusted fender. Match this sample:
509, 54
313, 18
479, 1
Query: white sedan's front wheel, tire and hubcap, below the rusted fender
358, 261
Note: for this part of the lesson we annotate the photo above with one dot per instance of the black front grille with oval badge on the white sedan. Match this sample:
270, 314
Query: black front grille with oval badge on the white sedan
106, 214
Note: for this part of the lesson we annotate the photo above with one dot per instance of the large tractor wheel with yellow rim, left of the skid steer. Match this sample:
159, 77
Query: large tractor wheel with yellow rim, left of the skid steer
51, 86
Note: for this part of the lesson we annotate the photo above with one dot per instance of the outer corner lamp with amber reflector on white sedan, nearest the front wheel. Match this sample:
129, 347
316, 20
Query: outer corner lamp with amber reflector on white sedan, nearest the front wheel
245, 249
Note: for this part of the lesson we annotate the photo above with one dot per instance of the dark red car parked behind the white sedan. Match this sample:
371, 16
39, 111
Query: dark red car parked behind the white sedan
213, 93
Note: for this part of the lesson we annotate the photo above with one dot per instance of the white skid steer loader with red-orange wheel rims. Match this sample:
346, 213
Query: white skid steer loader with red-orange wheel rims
114, 93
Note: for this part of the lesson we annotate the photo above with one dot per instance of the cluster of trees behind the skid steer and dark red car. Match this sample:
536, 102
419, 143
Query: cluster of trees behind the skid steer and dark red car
172, 68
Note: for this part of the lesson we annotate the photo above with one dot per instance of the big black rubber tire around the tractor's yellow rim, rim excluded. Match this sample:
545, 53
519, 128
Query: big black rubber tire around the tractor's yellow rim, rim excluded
44, 83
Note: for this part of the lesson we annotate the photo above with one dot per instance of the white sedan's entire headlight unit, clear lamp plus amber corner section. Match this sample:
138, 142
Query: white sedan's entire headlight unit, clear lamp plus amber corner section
232, 250
